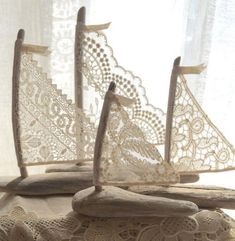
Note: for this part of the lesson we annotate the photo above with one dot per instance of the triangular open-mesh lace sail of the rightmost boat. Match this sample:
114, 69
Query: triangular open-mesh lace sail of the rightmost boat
197, 145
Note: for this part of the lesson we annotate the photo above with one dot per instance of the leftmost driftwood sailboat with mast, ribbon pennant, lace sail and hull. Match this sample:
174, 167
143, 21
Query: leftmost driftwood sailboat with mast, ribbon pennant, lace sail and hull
46, 127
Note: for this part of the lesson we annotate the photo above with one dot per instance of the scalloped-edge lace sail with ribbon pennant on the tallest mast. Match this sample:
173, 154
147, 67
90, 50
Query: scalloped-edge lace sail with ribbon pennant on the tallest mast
99, 67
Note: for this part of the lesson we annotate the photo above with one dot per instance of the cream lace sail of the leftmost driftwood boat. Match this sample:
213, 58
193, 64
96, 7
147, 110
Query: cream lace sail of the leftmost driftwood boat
48, 123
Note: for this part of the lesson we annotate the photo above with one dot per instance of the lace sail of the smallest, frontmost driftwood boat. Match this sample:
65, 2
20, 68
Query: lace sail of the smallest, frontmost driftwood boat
127, 157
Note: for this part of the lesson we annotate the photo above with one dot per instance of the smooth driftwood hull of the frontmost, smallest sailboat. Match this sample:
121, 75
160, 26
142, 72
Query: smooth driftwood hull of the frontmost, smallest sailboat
116, 202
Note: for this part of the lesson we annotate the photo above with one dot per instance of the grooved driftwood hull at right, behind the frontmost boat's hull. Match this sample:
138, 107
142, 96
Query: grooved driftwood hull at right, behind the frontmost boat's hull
203, 196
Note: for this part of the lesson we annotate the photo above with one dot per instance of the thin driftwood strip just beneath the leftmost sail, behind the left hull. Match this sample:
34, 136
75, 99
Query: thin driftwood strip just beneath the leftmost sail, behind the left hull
79, 167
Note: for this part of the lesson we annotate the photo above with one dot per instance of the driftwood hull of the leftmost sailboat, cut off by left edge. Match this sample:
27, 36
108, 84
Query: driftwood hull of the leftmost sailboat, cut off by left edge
45, 184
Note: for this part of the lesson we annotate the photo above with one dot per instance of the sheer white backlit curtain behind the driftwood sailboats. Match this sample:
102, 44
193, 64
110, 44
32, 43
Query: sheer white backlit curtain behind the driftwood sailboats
146, 36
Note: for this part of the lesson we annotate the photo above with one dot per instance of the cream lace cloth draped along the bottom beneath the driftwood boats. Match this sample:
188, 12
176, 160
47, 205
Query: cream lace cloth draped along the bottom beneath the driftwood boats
20, 225
